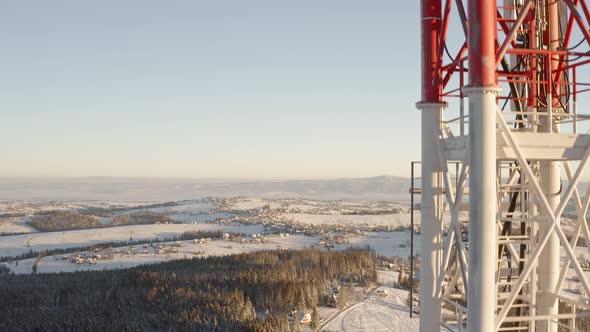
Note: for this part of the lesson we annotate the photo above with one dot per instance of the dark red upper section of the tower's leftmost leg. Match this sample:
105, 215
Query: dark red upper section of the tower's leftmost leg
431, 17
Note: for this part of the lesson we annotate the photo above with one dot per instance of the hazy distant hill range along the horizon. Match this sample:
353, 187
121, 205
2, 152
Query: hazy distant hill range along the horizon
150, 189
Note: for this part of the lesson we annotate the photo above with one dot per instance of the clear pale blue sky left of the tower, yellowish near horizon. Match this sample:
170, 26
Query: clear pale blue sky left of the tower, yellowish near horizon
209, 89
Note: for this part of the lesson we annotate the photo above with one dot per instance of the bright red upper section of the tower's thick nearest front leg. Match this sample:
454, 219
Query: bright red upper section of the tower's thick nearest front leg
482, 43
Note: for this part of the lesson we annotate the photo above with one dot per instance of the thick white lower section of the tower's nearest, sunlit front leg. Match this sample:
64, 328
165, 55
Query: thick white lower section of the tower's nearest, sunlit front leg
481, 304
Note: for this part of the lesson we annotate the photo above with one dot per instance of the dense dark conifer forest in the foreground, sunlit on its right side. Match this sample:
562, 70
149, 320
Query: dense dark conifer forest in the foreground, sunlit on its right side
202, 294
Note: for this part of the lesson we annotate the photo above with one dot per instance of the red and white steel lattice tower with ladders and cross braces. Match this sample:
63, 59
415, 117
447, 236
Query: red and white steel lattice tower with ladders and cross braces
521, 157
